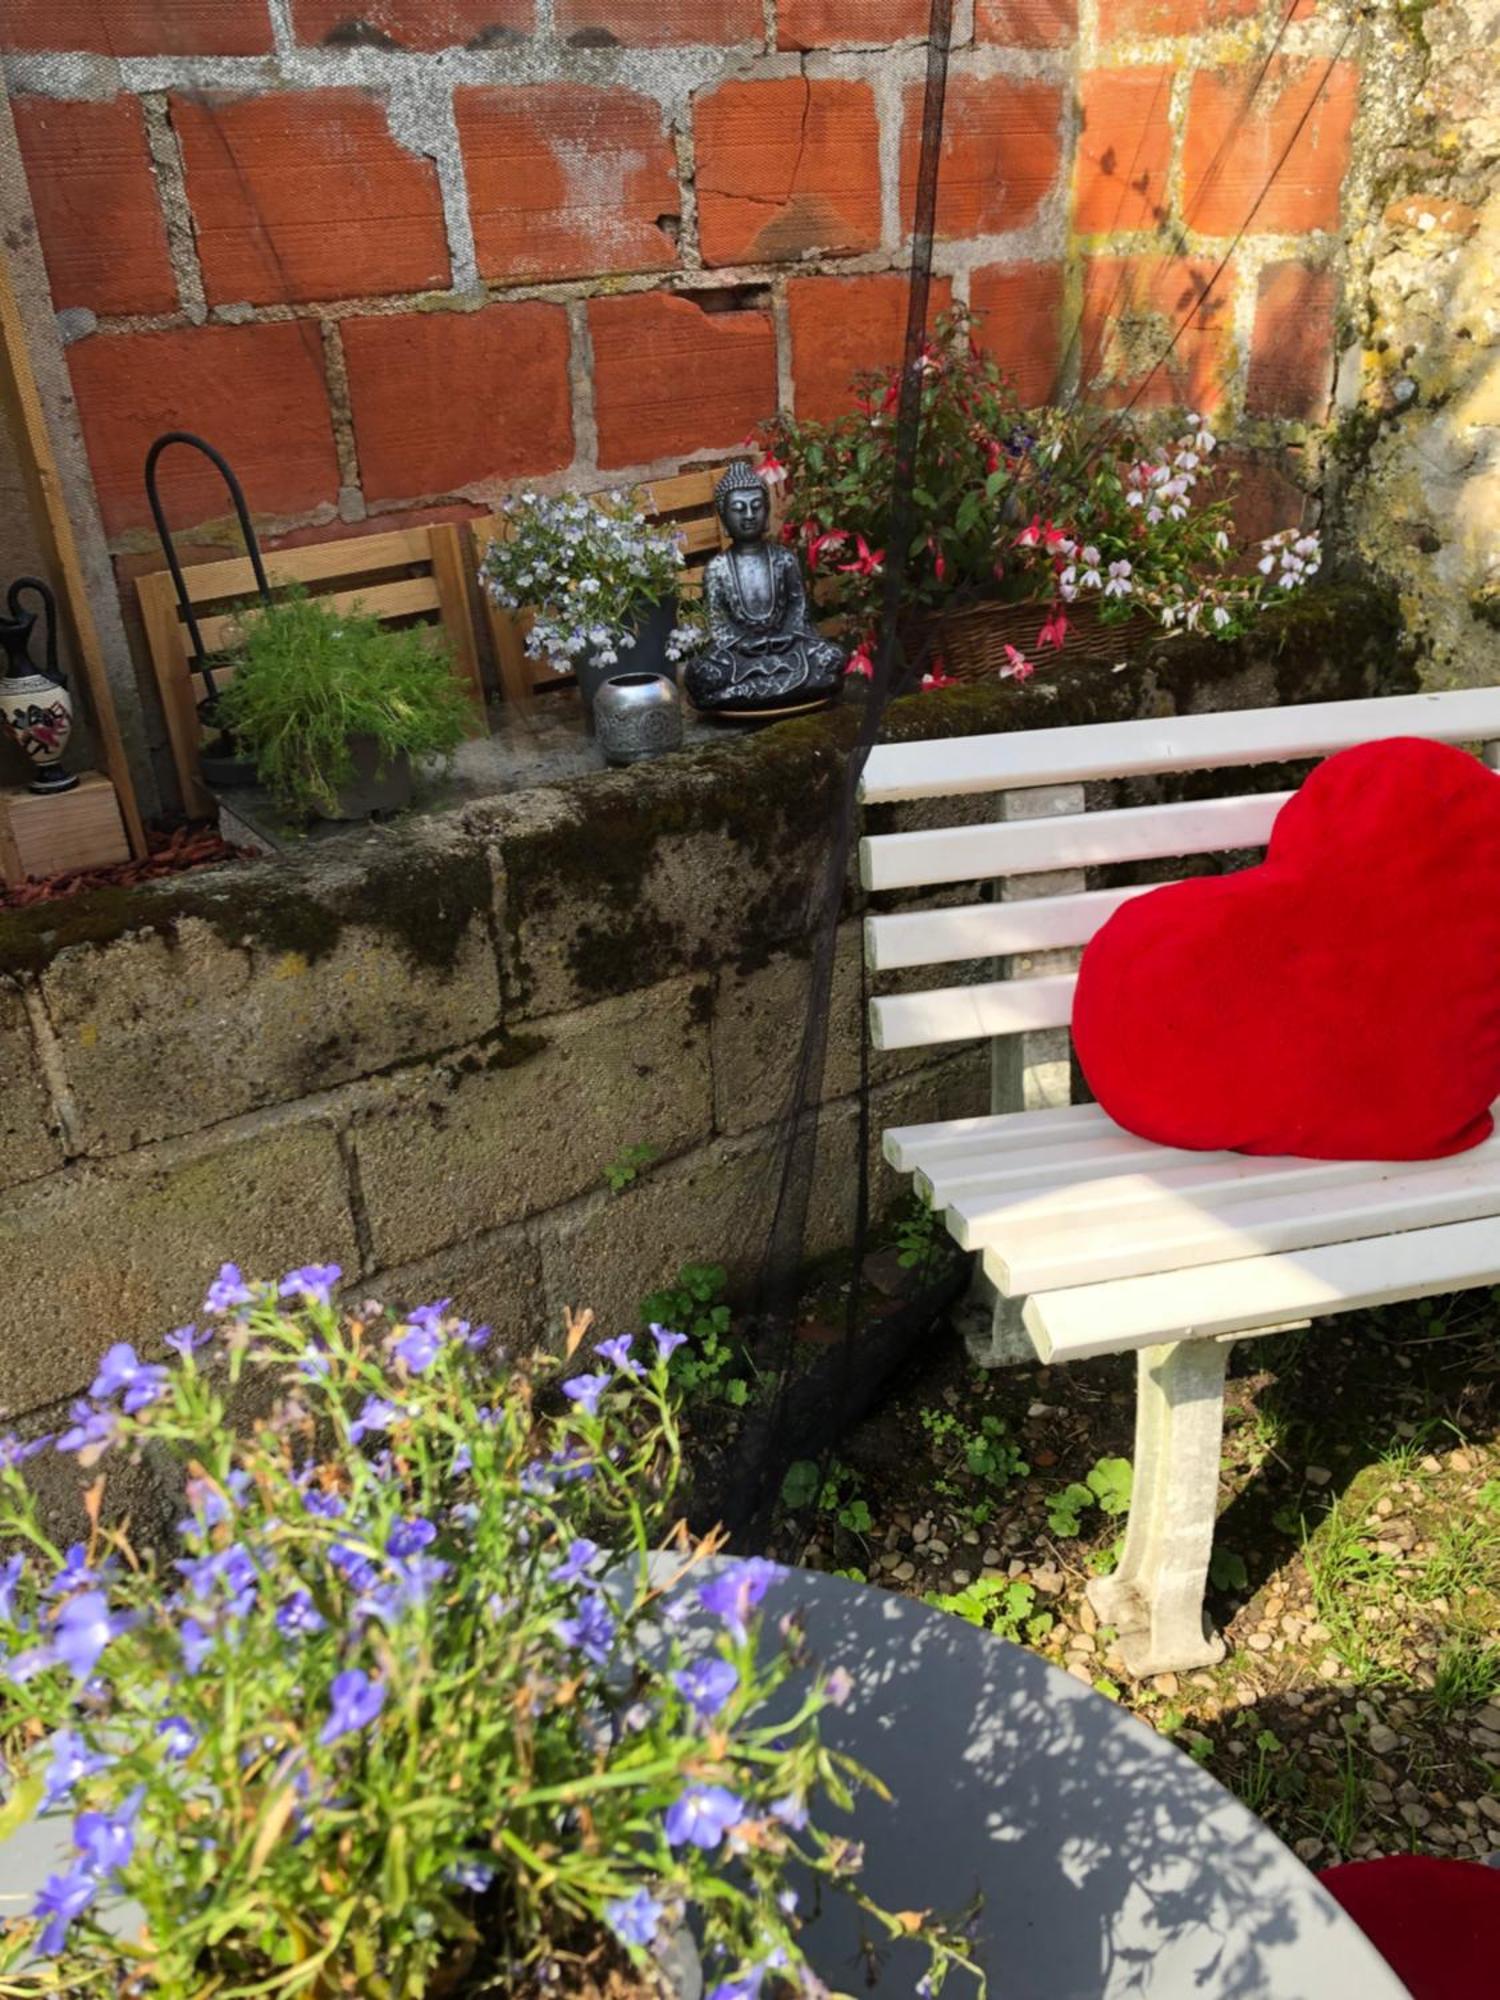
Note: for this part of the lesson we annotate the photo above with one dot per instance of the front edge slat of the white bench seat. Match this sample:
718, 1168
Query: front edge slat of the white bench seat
1077, 1323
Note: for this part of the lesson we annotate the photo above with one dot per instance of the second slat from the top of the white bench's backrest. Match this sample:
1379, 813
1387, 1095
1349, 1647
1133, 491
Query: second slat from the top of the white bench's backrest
1081, 841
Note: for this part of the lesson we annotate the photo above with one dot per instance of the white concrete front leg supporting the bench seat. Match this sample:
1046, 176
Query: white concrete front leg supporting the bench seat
1157, 1595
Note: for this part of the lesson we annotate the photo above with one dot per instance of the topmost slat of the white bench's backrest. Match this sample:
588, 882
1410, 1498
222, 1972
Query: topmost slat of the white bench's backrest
957, 767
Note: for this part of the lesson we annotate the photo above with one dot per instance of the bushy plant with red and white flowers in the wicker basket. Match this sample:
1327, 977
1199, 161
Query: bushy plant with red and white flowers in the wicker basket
1051, 509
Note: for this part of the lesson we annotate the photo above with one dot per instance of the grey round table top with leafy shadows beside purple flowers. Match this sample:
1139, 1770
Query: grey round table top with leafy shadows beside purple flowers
1107, 1861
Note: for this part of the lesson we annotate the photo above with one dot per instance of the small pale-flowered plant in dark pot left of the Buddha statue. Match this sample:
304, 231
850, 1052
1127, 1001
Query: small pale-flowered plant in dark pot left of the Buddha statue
585, 569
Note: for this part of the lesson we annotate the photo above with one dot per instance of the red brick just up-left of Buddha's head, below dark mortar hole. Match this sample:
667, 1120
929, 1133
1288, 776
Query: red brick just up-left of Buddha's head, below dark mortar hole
673, 379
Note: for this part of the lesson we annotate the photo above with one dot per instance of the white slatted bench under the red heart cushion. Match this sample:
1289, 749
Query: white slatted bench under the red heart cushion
1095, 1241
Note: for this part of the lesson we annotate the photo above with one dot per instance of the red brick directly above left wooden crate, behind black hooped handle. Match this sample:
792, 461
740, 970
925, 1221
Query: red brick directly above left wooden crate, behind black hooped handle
257, 391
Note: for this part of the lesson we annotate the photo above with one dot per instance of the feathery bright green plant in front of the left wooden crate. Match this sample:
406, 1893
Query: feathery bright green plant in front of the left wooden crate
307, 679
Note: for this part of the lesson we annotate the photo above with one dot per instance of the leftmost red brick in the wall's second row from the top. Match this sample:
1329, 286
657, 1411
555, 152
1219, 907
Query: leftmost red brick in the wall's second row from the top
97, 209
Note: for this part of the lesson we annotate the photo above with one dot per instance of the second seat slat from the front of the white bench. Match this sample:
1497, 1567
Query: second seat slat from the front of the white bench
1177, 1231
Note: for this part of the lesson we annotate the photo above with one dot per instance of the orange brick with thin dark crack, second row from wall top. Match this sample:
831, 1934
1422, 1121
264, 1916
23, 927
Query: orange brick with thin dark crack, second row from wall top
785, 167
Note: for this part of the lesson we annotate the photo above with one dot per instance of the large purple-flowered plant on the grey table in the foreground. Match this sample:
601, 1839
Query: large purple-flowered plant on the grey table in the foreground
405, 1709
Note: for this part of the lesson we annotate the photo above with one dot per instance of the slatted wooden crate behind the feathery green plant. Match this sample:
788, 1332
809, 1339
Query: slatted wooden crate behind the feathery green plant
397, 577
